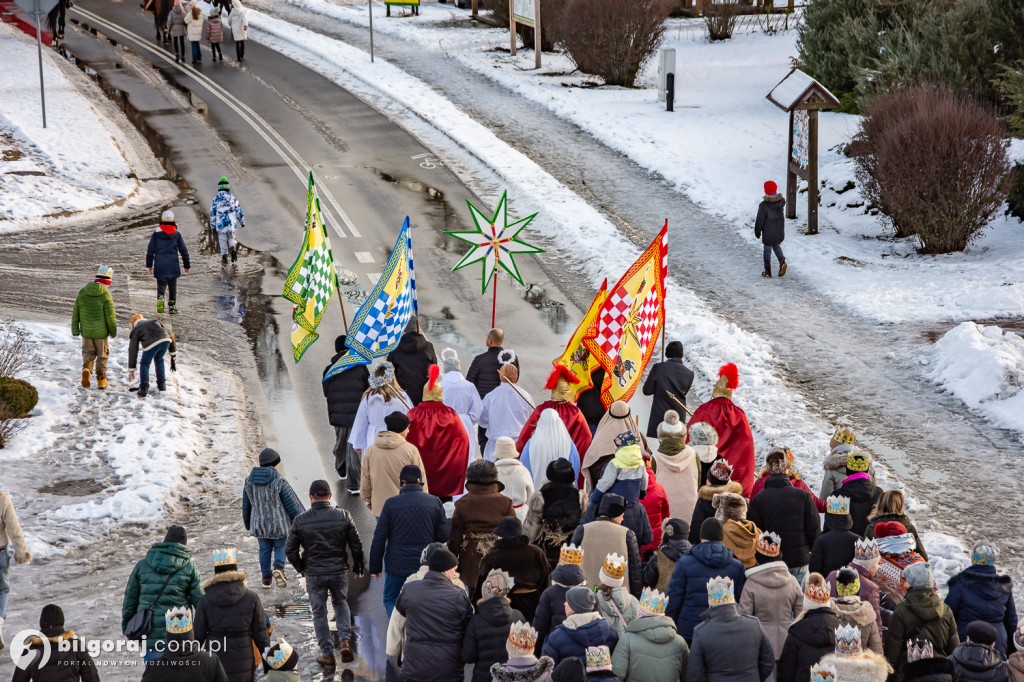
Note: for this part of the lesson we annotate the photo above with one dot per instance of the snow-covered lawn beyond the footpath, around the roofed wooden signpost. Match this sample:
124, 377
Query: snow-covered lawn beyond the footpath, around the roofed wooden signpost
723, 142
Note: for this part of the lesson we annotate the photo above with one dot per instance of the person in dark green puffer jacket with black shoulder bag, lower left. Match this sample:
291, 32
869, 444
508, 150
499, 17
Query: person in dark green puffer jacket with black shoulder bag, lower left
148, 578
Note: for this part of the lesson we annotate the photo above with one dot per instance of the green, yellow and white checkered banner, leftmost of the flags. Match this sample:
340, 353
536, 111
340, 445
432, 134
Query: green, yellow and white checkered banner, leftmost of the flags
312, 280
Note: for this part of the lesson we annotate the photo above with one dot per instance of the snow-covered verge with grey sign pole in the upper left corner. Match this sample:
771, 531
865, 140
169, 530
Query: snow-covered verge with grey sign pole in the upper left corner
87, 158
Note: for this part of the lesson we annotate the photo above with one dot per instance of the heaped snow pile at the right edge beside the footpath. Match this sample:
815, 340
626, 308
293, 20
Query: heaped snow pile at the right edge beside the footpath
985, 368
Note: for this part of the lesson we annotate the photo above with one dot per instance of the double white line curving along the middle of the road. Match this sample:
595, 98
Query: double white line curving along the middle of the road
280, 145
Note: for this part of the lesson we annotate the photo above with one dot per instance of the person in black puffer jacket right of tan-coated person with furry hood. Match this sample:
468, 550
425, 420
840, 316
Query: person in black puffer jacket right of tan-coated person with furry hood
789, 513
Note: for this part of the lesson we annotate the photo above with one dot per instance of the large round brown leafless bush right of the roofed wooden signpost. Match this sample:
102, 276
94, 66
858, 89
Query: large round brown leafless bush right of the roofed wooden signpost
936, 165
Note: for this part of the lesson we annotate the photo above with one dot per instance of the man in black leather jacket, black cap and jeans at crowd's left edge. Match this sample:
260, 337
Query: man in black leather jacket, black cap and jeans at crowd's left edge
317, 548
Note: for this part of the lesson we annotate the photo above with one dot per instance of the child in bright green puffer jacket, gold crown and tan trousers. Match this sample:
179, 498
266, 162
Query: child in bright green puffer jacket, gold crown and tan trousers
94, 319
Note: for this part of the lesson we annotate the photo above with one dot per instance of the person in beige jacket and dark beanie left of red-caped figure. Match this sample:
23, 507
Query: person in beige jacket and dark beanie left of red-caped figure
383, 461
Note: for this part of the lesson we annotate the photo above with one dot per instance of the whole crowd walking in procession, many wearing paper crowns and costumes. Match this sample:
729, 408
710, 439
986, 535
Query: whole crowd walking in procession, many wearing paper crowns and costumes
559, 544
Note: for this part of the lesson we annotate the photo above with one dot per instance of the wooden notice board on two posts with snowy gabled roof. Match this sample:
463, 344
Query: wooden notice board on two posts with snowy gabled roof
803, 98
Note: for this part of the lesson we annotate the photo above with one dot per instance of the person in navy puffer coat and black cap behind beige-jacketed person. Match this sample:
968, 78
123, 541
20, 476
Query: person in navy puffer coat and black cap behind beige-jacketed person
409, 523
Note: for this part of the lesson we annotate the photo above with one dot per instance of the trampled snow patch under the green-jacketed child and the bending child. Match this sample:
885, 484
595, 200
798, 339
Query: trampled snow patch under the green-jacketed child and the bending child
92, 460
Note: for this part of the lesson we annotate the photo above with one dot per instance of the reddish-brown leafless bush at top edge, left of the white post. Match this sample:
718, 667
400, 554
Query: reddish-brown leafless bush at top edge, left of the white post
613, 38
